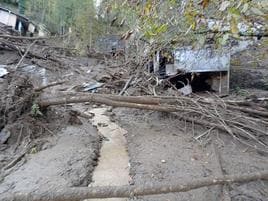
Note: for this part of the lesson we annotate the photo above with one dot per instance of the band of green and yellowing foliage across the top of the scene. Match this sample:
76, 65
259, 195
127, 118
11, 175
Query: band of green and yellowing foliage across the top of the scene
157, 21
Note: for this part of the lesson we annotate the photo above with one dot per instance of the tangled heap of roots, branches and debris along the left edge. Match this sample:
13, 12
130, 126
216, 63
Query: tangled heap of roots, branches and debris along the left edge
23, 126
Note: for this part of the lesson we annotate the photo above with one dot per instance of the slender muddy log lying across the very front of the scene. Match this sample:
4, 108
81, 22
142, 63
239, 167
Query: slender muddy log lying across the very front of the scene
81, 193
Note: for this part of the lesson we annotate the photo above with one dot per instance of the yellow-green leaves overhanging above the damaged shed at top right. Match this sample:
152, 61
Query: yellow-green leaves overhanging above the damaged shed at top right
182, 21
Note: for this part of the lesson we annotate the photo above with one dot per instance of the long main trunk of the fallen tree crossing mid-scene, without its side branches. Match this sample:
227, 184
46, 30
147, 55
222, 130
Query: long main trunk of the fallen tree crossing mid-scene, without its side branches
210, 122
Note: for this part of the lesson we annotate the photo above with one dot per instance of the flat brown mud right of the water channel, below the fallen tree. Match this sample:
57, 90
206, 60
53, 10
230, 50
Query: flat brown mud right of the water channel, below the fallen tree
163, 149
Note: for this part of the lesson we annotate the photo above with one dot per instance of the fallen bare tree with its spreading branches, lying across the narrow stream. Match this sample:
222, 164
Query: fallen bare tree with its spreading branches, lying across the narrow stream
246, 124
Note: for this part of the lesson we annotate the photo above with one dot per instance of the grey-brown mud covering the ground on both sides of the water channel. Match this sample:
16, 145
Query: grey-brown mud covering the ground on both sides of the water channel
63, 150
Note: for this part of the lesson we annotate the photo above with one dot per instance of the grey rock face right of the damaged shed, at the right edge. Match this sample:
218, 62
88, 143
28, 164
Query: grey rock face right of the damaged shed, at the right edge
249, 69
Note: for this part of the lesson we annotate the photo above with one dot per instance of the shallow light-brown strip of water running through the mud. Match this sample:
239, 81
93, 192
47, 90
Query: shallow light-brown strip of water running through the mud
113, 165
